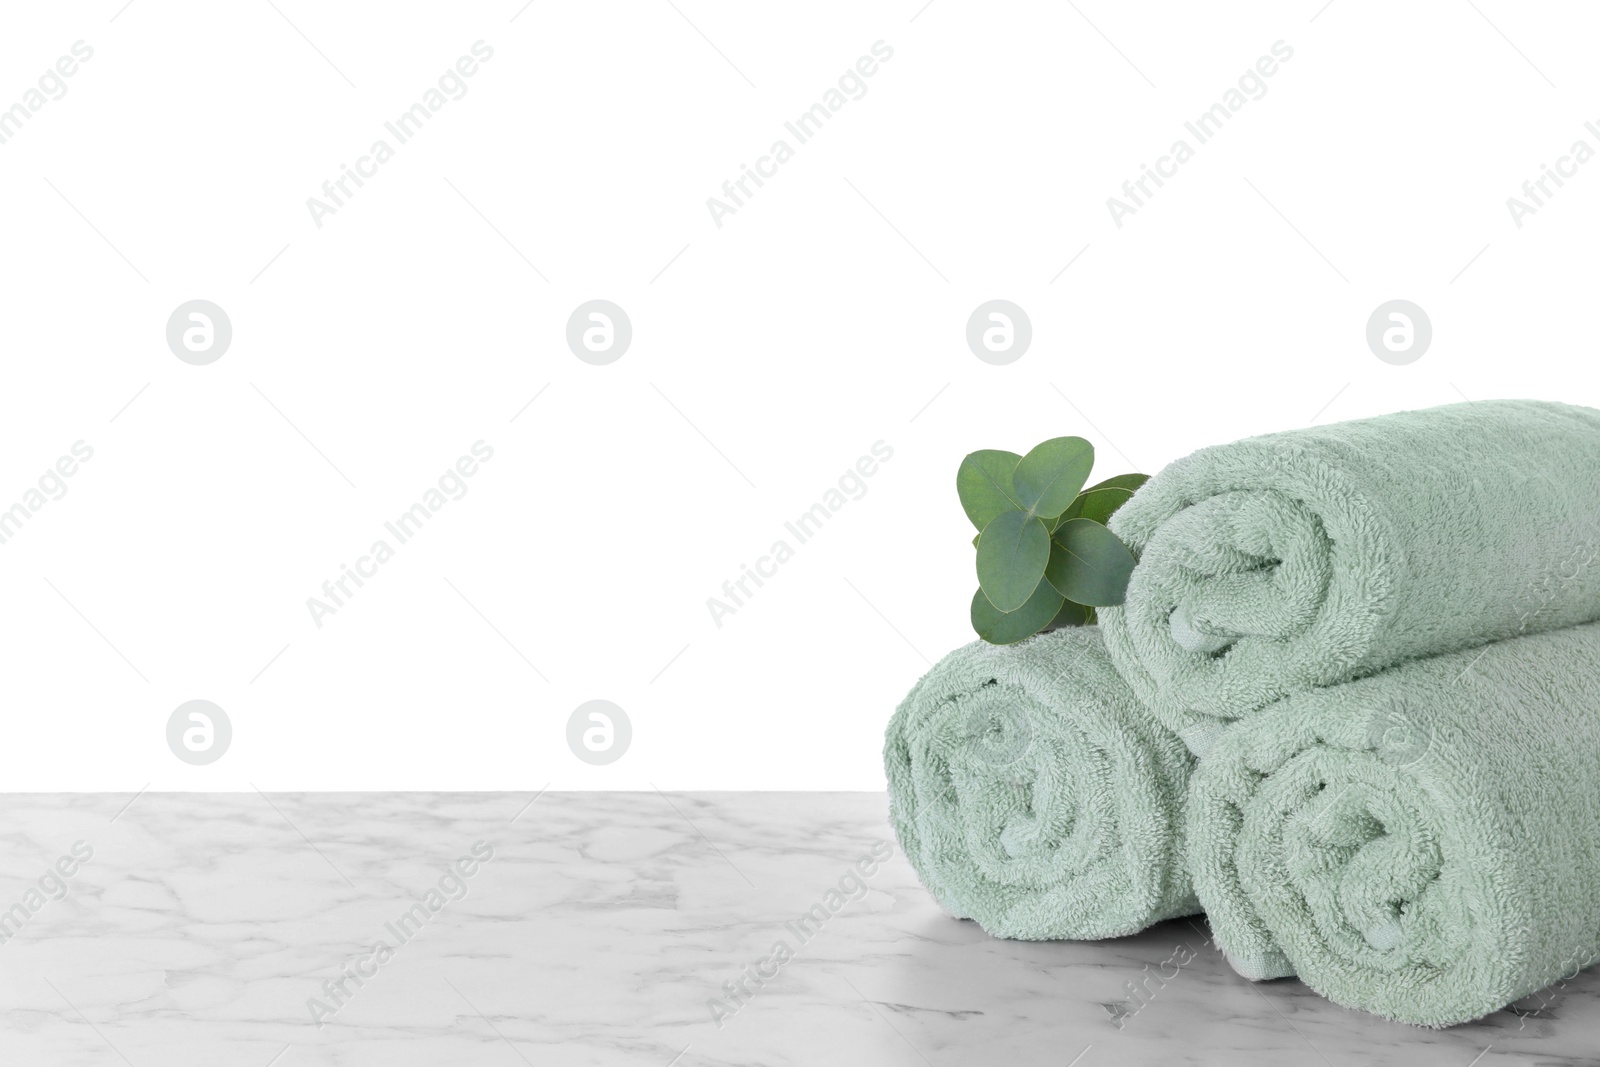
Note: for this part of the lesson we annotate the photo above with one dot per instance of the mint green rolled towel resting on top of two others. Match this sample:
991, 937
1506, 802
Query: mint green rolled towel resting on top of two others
1313, 557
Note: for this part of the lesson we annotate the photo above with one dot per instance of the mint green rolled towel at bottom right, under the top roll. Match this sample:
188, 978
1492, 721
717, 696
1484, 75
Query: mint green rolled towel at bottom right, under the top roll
1423, 844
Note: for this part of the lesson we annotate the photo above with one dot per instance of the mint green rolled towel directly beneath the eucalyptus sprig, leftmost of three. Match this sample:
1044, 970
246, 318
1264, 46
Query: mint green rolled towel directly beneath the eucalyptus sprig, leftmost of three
1033, 794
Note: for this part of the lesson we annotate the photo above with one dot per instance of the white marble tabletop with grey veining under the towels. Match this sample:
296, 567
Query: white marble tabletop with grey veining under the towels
596, 935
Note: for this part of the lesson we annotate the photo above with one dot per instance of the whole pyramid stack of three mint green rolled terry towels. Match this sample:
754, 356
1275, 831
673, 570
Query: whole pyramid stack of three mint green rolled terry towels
1380, 642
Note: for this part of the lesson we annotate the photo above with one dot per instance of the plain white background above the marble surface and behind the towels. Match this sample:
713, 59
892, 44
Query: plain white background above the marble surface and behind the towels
825, 316
